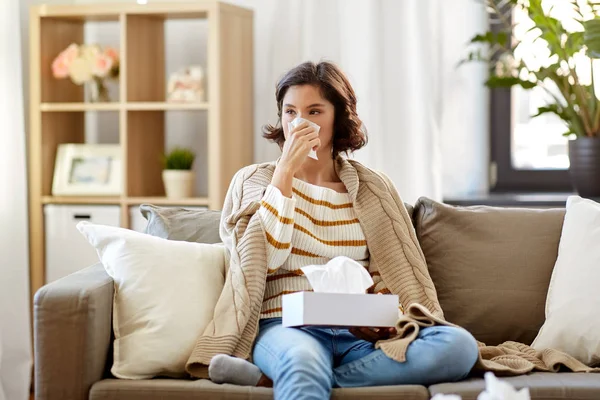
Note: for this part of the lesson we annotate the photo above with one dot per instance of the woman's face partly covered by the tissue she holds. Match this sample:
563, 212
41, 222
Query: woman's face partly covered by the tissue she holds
305, 101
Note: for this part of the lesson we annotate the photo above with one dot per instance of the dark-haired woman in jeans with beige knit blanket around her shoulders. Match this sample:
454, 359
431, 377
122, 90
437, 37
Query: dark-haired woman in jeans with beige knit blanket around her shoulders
309, 211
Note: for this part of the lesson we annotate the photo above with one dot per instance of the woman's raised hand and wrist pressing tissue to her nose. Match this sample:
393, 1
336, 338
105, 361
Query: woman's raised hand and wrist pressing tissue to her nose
300, 141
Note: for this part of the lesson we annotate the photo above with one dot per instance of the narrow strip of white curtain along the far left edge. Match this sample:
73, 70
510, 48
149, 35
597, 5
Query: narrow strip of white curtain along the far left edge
15, 336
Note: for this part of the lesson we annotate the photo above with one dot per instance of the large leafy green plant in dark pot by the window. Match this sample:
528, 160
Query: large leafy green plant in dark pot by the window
571, 98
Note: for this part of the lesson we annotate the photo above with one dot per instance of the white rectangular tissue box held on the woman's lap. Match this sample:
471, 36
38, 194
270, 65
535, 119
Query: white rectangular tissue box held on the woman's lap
339, 309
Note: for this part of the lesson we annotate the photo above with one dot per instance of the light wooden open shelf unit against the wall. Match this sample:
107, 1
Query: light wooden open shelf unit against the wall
57, 107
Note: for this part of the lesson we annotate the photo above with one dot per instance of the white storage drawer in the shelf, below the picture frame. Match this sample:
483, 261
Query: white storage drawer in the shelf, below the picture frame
67, 250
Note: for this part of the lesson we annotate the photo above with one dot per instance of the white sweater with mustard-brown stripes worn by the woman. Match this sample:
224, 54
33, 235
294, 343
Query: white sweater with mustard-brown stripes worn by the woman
314, 226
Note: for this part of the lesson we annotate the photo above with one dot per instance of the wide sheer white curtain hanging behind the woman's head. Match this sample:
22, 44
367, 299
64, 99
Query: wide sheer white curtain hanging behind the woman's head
427, 120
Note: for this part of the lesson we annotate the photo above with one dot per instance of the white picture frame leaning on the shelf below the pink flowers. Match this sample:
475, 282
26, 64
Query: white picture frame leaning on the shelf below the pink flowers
87, 169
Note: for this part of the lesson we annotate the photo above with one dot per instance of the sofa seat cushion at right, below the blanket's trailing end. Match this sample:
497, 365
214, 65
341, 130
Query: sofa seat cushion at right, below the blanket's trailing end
542, 386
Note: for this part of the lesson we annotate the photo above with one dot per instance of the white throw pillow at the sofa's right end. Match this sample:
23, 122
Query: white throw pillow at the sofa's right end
572, 319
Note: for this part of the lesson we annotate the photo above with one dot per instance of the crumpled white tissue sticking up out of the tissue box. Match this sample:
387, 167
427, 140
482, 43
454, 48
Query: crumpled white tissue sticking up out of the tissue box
340, 275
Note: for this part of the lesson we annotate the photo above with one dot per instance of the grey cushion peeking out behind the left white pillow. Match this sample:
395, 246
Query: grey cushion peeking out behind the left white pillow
189, 225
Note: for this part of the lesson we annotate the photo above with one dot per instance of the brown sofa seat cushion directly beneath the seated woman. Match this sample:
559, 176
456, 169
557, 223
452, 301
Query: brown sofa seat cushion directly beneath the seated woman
115, 389
